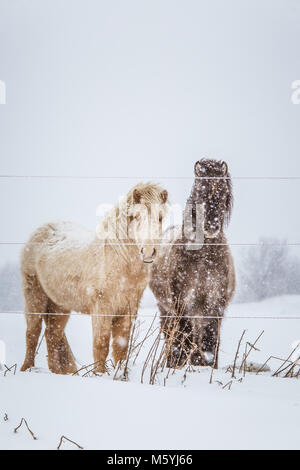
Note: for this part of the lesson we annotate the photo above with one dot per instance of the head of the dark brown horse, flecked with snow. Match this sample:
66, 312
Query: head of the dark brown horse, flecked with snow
213, 190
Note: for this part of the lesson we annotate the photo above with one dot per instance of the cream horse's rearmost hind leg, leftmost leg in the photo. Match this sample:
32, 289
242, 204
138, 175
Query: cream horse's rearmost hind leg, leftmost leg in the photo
35, 302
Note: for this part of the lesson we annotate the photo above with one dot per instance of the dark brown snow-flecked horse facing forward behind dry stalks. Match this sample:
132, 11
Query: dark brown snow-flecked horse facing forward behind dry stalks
193, 283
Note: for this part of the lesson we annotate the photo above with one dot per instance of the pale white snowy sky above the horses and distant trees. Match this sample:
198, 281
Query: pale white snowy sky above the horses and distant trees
145, 88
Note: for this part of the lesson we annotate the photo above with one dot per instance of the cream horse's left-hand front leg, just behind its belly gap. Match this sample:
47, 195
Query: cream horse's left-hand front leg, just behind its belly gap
102, 323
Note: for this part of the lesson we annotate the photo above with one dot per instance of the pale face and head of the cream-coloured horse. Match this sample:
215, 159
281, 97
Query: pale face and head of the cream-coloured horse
145, 214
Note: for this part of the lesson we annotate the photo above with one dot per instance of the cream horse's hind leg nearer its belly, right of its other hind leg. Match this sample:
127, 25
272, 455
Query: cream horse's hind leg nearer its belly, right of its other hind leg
60, 356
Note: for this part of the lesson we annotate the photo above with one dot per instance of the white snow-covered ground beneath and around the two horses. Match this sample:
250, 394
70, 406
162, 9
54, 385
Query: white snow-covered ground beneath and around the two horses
181, 411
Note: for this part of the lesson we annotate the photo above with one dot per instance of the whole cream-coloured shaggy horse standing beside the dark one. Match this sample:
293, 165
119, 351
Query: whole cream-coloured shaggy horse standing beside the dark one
65, 268
